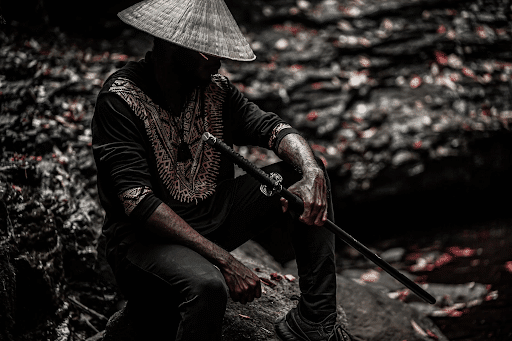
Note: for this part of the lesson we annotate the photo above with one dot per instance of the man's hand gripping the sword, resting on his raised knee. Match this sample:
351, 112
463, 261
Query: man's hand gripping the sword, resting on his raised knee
312, 189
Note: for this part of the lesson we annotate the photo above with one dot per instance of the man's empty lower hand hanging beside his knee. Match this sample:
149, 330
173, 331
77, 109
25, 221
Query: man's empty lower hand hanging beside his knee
244, 286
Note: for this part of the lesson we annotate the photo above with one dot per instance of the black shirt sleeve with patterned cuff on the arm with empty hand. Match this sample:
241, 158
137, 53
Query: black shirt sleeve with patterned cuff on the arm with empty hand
118, 147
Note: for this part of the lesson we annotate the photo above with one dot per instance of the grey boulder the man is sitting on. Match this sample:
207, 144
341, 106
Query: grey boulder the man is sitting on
366, 312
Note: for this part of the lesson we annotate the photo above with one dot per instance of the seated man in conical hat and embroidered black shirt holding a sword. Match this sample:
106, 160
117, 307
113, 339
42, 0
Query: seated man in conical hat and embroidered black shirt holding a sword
173, 207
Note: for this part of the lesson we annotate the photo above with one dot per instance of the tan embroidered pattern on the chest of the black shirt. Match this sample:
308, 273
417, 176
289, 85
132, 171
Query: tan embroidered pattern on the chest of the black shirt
195, 179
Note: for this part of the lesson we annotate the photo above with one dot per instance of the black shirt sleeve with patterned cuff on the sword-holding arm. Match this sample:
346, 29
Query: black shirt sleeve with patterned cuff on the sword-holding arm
253, 126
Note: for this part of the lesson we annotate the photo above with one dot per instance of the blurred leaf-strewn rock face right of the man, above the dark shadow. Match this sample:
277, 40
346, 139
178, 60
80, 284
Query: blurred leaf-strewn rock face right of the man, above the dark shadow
388, 89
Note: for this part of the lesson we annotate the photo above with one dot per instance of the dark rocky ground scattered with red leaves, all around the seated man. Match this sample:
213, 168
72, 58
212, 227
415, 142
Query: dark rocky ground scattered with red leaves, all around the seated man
407, 100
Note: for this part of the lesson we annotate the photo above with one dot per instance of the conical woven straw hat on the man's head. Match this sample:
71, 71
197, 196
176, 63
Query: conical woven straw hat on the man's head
205, 26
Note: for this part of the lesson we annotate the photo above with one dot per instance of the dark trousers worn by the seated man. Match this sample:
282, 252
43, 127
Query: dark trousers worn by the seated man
175, 293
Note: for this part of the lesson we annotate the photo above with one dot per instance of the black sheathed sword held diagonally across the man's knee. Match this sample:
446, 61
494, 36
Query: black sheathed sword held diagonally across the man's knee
271, 184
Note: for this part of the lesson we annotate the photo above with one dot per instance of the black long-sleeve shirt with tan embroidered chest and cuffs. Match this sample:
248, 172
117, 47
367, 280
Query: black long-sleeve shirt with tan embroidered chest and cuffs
135, 143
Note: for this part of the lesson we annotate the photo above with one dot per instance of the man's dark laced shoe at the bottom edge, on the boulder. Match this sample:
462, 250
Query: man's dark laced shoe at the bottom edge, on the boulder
293, 327
